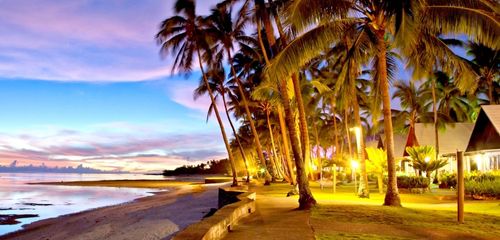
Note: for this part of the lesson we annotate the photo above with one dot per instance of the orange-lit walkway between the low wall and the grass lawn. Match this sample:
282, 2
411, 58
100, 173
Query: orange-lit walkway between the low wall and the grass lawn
275, 218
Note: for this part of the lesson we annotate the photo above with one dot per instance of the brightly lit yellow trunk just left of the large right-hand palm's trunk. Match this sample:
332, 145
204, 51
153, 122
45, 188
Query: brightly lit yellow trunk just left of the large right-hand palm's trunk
363, 190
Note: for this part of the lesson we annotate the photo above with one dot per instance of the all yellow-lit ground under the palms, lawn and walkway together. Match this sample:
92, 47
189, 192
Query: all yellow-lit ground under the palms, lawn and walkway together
345, 216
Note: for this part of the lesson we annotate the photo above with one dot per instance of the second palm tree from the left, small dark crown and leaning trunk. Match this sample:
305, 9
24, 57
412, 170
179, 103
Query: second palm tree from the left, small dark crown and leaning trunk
227, 33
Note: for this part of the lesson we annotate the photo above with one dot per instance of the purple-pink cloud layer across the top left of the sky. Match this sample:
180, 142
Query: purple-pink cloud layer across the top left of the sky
83, 40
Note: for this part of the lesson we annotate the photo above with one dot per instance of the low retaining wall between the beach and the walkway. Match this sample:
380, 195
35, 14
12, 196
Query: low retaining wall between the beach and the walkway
218, 225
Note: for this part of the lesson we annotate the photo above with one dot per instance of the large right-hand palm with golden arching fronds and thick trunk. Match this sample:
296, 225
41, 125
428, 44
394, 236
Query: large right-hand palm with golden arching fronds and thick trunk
379, 23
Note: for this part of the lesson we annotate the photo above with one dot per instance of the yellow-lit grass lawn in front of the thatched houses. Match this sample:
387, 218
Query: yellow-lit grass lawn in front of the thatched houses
430, 215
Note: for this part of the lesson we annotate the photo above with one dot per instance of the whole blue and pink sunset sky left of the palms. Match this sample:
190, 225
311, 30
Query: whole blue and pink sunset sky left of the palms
82, 82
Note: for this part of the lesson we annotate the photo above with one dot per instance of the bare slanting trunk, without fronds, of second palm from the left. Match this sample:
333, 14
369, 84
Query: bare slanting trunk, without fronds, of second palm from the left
248, 115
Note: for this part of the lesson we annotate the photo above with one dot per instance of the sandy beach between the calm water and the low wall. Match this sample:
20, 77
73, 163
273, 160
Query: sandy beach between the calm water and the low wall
153, 217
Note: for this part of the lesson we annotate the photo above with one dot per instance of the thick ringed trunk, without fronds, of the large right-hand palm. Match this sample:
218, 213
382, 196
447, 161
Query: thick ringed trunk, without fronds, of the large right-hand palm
392, 194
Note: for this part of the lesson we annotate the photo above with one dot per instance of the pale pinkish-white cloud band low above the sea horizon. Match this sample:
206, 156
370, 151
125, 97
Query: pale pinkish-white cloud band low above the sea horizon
142, 151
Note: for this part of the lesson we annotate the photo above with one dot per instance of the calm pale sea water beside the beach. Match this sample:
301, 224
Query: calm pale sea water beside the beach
17, 197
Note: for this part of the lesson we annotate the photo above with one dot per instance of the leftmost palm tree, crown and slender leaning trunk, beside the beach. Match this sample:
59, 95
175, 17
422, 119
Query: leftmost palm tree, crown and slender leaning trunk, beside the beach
184, 36
